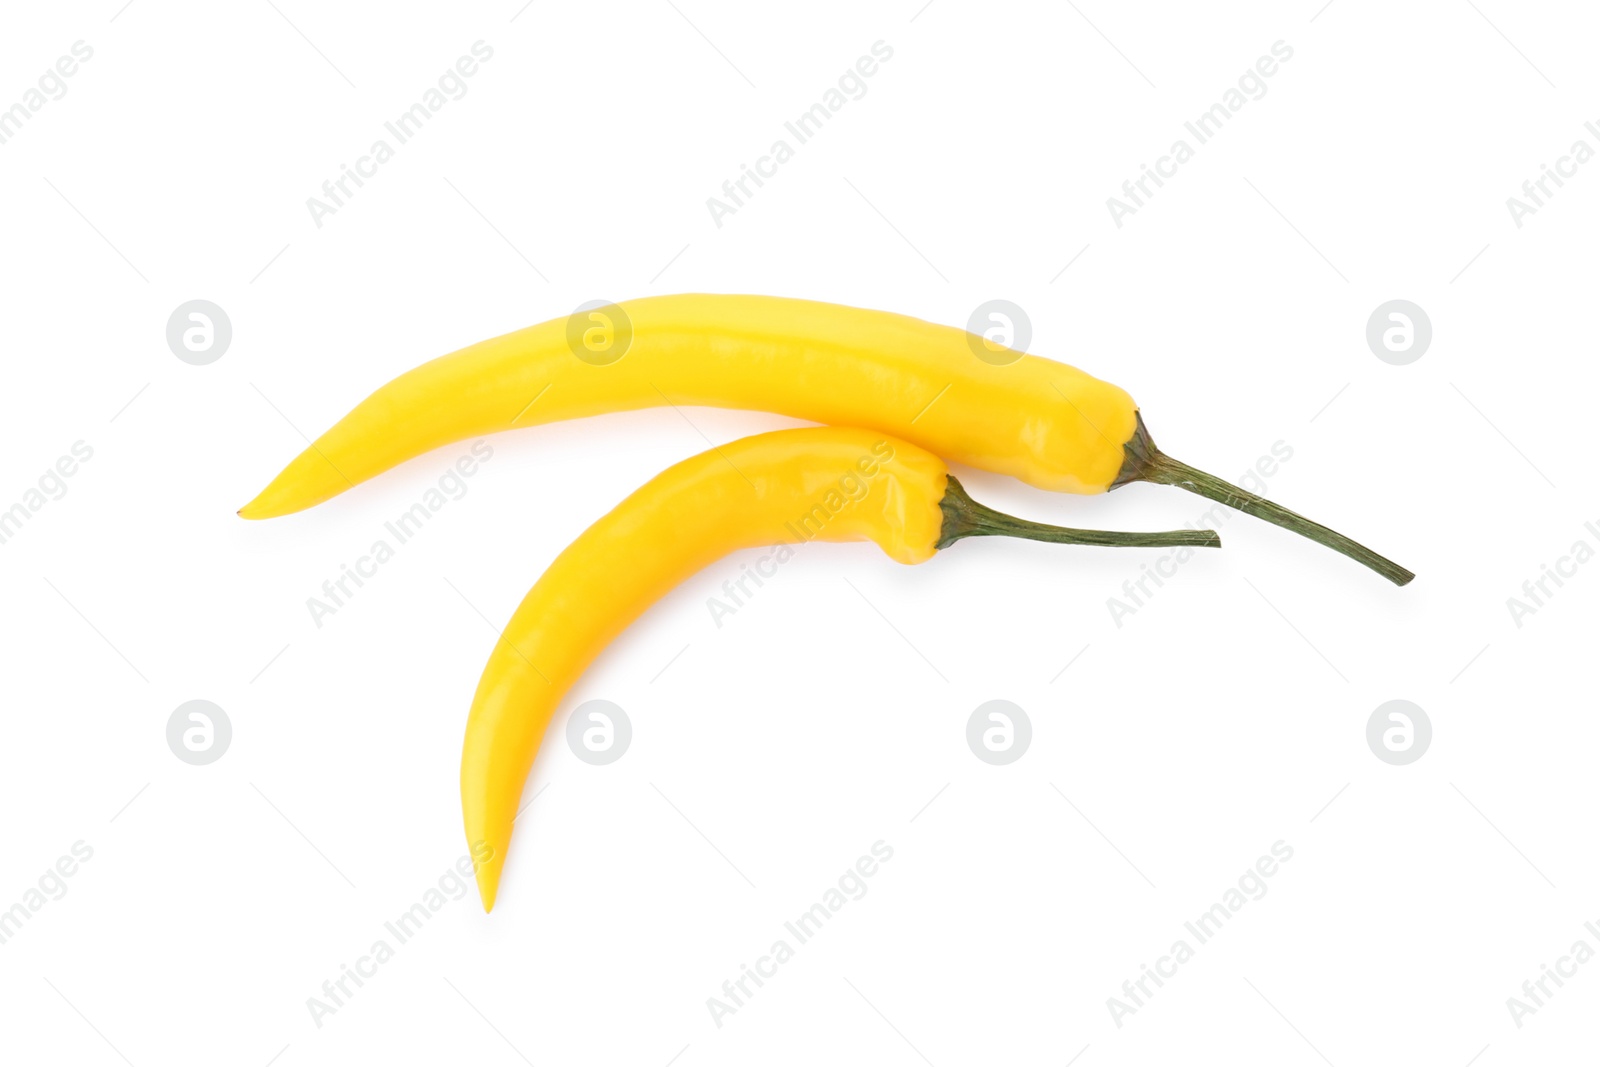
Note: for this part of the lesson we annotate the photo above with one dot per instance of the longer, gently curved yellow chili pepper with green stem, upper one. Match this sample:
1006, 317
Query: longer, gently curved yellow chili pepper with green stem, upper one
1041, 422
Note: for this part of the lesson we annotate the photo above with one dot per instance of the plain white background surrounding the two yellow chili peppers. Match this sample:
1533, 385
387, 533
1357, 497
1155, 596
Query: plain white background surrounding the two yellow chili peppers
1228, 714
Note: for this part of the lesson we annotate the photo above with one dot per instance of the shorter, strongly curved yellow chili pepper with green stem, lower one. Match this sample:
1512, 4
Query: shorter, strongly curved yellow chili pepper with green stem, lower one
785, 489
